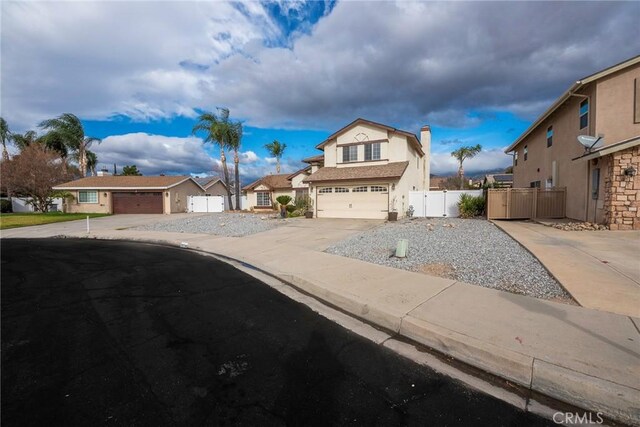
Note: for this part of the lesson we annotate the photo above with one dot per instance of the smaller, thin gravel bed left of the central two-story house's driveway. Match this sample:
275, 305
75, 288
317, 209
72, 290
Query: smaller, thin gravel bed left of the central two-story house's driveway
221, 224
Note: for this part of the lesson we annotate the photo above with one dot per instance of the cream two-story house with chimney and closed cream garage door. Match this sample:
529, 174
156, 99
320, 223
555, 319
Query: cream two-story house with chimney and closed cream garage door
368, 169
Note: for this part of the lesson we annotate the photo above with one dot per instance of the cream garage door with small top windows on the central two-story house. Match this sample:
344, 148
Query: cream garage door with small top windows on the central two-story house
362, 201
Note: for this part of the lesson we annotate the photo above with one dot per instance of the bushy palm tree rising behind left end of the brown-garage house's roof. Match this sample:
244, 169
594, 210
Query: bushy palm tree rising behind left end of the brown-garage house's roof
68, 129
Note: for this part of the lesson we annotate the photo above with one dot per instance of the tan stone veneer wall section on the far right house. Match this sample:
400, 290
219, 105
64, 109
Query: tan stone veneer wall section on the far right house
622, 193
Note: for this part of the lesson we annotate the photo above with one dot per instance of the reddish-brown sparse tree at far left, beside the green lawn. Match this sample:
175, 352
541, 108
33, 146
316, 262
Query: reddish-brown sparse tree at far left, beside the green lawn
33, 173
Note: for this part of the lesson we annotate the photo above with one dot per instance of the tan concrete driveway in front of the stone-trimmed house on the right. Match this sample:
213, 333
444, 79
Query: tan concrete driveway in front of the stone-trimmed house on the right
600, 269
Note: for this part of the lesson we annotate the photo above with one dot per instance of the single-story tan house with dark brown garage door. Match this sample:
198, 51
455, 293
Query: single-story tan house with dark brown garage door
130, 194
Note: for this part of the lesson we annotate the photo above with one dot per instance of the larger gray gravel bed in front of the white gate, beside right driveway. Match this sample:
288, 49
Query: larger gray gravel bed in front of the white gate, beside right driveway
470, 250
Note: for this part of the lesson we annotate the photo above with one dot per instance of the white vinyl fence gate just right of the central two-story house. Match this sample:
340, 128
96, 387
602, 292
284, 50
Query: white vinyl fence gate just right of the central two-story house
438, 203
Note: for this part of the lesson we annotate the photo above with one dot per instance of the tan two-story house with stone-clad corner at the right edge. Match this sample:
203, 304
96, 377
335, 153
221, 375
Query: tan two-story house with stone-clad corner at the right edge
603, 184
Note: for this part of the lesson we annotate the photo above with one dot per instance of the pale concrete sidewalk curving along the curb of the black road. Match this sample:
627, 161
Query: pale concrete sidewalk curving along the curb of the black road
587, 358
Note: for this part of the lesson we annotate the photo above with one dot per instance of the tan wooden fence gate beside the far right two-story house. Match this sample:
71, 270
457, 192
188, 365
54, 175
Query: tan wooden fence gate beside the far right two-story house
526, 203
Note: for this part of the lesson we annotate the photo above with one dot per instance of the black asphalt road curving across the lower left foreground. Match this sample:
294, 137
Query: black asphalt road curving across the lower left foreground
115, 333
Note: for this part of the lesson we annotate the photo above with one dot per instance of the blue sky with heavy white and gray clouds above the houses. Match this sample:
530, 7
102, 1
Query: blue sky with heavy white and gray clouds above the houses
139, 72
